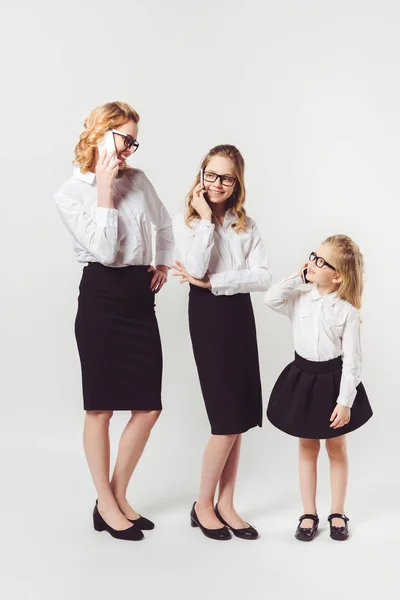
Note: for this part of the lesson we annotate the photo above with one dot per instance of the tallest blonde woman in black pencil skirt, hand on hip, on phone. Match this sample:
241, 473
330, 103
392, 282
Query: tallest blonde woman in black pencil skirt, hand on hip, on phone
109, 209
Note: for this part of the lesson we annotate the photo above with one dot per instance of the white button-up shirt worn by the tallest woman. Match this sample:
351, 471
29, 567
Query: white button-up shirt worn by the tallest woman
119, 236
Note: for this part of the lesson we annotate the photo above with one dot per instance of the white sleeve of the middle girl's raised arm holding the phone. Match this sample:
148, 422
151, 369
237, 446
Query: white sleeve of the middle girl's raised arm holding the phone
194, 244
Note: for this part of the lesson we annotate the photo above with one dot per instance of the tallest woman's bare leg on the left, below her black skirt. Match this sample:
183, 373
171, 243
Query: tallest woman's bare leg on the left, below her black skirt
97, 449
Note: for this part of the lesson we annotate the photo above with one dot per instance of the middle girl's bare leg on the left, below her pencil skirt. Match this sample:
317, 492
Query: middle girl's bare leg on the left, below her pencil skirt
215, 457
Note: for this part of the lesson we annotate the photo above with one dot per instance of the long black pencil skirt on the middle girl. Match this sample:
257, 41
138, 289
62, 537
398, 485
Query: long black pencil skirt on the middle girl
223, 334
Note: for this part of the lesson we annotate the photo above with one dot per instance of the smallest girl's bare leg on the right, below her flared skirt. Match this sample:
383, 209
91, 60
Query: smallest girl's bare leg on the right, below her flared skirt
337, 452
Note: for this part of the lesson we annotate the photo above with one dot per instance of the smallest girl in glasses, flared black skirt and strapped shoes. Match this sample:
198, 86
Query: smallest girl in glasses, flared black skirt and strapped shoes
319, 395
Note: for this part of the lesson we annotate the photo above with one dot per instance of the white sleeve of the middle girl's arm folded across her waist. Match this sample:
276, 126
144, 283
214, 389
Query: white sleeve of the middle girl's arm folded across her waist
256, 278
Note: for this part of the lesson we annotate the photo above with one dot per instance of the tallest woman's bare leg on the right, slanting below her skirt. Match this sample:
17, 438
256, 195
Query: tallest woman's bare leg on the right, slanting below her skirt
132, 443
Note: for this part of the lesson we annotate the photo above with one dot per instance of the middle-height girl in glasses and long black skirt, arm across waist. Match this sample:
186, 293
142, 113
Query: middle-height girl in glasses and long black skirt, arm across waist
223, 260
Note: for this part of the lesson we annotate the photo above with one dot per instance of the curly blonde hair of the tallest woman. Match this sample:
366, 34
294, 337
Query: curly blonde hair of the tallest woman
102, 118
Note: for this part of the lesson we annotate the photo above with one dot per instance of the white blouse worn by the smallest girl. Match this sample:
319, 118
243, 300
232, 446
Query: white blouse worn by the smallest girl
324, 327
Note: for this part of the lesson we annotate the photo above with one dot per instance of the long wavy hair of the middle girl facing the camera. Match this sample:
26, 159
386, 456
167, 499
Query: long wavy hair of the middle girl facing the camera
237, 200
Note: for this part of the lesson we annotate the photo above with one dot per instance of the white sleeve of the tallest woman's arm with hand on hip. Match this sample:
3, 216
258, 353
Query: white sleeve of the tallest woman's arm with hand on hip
163, 226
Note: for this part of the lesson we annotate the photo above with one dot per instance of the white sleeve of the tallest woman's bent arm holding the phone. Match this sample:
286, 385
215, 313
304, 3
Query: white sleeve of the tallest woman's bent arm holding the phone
98, 235
